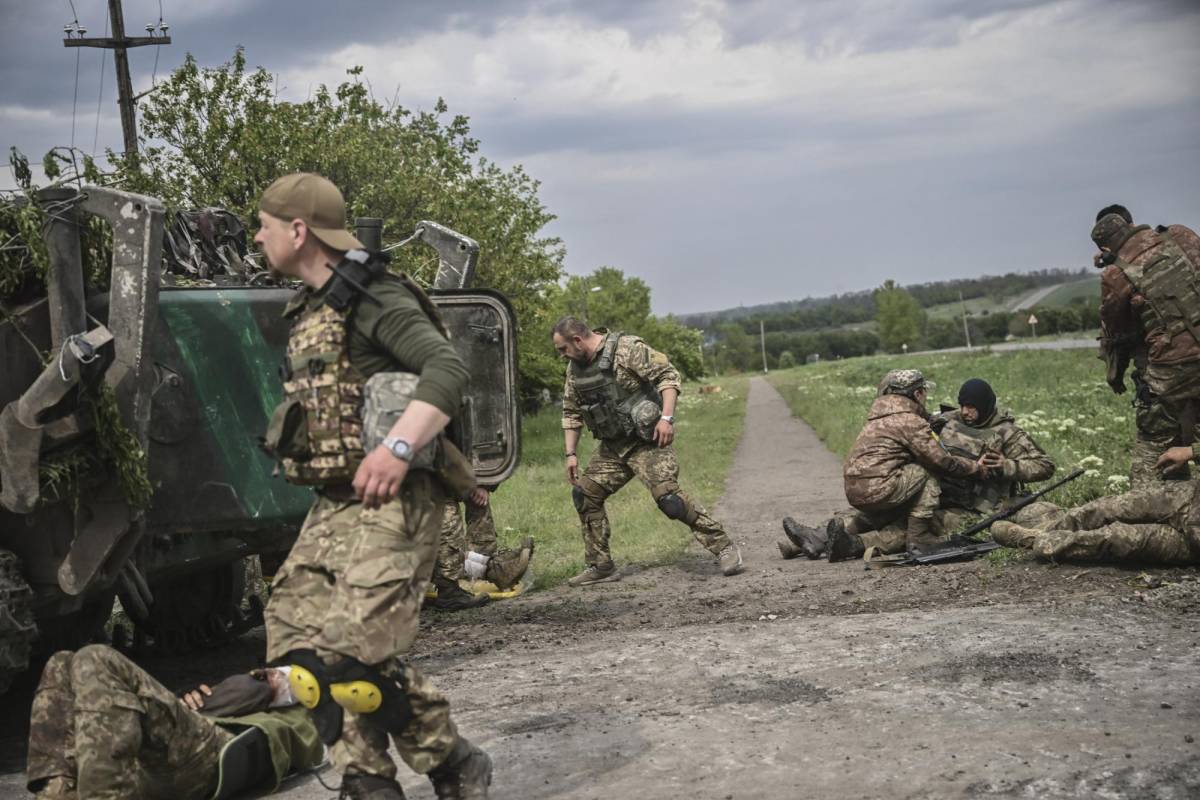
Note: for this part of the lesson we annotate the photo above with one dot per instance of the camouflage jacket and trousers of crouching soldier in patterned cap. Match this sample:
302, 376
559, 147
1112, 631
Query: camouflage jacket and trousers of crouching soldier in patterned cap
890, 472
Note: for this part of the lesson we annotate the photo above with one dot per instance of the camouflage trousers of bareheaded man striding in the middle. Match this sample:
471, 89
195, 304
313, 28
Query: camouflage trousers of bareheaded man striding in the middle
658, 468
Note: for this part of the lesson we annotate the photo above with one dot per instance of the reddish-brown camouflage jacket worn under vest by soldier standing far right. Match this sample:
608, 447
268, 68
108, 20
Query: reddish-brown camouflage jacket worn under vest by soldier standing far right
1123, 336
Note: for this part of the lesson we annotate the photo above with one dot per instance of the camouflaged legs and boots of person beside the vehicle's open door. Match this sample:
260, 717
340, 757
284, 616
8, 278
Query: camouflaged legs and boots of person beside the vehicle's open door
484, 560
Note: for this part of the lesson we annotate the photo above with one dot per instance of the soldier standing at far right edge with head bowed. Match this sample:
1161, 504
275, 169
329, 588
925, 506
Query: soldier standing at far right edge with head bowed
1150, 315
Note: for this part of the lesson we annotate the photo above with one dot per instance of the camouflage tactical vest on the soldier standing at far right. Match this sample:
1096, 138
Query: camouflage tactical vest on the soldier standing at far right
1169, 285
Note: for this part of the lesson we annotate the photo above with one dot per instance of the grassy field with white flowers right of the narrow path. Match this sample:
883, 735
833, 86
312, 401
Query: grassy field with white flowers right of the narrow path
1059, 398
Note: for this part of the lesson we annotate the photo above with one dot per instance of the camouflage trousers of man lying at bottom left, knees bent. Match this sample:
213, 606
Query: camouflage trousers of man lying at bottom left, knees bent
106, 727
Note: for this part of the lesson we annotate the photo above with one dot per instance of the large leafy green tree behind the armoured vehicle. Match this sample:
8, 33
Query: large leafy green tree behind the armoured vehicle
220, 136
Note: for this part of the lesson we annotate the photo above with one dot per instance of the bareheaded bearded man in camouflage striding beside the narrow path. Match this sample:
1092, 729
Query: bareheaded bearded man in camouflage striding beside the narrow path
626, 393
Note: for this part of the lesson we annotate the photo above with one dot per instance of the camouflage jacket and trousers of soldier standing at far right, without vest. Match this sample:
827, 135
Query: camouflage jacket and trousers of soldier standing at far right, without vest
1167, 369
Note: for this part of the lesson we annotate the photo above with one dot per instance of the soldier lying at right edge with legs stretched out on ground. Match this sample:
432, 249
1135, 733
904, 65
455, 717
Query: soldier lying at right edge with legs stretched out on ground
1154, 526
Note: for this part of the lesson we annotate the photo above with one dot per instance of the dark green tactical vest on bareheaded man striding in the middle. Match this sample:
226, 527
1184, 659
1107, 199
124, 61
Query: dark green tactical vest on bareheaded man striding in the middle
609, 410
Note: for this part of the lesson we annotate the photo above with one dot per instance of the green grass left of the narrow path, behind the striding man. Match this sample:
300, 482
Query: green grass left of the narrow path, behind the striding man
537, 501
